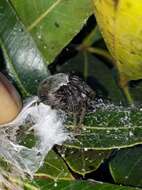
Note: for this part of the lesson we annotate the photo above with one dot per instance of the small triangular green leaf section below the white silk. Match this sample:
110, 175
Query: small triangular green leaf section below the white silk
54, 167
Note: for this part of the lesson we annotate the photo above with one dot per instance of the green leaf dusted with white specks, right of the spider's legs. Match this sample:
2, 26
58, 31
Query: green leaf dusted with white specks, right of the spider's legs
109, 127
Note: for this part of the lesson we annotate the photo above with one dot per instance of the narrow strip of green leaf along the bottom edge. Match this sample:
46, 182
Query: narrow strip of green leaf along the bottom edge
75, 185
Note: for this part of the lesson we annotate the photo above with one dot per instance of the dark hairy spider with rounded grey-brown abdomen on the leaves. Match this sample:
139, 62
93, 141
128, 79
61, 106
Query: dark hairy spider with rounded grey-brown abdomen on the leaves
67, 92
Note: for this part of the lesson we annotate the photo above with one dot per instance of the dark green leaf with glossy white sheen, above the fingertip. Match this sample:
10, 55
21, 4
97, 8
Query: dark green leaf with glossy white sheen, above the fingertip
24, 62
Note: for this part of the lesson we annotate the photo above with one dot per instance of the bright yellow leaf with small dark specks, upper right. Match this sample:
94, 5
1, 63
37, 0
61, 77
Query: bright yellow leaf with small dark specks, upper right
121, 26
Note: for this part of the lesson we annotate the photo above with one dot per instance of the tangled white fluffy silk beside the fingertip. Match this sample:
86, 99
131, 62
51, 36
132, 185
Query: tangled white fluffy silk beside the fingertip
48, 130
